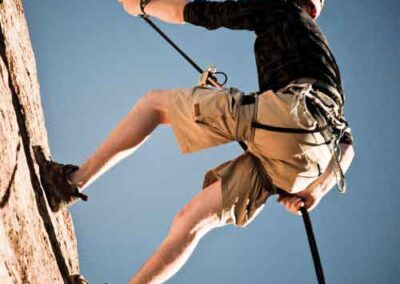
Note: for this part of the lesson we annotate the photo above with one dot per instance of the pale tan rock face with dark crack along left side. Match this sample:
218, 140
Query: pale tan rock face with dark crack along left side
36, 245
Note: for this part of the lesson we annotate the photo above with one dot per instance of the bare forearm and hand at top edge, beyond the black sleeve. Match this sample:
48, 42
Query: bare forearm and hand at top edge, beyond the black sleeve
170, 11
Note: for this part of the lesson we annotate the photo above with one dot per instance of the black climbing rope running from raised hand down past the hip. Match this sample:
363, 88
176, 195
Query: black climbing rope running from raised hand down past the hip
213, 81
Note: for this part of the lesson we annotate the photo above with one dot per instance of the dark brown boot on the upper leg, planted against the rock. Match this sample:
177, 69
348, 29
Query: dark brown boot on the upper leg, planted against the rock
55, 179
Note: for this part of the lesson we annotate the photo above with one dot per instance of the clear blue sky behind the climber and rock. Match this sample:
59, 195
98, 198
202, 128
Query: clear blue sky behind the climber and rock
95, 62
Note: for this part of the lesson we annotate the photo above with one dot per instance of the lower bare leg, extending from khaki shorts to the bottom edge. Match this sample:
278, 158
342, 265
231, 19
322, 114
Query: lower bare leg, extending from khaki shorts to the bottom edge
198, 217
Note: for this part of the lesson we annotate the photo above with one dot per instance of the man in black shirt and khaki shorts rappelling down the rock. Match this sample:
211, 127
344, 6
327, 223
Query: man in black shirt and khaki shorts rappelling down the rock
297, 138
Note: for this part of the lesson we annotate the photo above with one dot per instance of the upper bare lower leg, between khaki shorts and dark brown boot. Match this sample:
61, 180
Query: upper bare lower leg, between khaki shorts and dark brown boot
130, 133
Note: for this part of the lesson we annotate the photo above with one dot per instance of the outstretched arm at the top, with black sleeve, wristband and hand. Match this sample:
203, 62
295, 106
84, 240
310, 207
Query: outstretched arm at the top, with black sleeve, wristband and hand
208, 14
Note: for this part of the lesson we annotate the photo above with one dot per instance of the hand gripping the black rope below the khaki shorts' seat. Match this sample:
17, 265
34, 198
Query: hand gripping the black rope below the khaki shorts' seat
309, 198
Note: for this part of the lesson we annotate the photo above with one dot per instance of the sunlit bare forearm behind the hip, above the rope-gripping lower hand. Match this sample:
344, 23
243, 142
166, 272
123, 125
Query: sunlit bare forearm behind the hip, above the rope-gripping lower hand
329, 177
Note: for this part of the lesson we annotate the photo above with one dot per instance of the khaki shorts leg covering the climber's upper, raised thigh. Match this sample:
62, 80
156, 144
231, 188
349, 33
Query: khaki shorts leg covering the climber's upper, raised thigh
202, 117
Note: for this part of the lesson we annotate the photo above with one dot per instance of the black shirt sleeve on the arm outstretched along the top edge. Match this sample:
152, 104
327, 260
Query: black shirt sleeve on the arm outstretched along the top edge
238, 15
